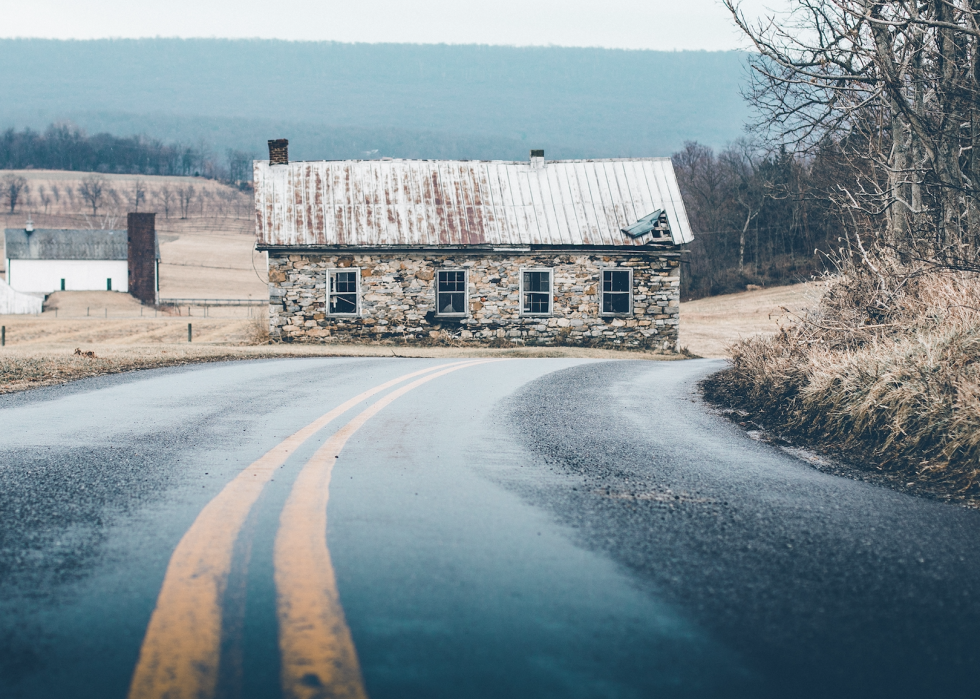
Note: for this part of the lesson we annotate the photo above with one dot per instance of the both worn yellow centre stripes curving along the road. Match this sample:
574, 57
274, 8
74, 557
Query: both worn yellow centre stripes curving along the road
181, 650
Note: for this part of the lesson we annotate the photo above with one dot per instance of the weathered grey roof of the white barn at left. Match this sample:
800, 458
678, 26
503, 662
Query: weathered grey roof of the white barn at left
67, 244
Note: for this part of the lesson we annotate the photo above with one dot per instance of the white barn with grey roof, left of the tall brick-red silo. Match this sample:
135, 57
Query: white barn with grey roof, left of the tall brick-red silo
47, 259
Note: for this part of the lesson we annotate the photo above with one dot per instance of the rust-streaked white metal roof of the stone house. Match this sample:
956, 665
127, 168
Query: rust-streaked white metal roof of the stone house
458, 203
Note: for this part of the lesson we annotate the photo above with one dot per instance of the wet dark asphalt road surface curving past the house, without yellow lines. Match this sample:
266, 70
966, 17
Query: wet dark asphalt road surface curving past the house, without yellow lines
525, 528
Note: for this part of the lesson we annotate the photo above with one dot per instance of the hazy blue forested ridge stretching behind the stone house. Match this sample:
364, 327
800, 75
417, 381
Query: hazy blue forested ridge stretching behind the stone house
337, 100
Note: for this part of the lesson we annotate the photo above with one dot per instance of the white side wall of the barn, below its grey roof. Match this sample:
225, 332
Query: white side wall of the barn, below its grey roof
79, 275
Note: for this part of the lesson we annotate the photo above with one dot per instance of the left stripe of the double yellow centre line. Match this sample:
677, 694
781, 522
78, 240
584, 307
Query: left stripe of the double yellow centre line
182, 647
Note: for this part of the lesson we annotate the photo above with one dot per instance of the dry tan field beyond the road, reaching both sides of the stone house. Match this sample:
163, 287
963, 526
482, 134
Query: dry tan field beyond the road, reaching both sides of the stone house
125, 336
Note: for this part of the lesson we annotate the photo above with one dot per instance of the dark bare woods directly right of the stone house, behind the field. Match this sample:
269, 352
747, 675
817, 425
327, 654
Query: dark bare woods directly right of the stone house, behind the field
758, 218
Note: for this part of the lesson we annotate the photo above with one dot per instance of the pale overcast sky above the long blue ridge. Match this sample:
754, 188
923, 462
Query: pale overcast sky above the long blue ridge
637, 24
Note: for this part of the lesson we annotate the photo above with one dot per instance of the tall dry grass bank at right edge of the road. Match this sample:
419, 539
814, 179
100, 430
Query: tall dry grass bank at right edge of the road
885, 369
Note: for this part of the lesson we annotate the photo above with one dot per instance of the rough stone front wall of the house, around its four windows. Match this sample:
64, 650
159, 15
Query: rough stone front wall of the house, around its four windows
398, 300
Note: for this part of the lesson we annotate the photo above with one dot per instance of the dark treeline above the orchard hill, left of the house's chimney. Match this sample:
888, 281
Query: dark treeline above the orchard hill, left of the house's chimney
64, 147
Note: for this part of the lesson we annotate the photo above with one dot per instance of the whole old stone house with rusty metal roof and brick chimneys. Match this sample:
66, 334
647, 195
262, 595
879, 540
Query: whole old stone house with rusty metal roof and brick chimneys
575, 252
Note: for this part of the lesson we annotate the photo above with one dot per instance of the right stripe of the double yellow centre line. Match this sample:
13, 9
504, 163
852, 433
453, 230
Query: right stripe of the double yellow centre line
318, 655
